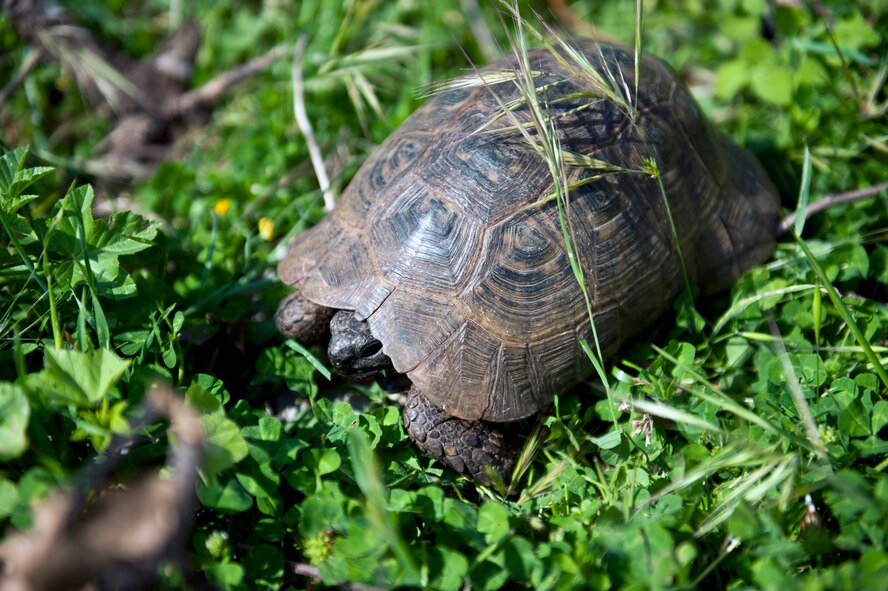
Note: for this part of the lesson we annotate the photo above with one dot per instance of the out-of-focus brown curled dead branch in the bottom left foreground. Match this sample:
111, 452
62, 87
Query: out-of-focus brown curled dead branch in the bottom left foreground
102, 536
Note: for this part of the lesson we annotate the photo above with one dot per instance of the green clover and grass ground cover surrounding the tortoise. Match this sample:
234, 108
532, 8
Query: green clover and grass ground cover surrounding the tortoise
742, 444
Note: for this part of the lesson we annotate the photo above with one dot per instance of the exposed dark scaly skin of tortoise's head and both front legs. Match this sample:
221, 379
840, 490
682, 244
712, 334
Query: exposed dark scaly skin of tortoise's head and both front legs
472, 448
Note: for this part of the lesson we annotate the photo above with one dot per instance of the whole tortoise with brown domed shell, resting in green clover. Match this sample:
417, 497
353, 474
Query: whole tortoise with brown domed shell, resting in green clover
445, 257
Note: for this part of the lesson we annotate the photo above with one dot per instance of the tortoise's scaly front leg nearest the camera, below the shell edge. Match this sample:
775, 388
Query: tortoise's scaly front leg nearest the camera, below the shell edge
469, 447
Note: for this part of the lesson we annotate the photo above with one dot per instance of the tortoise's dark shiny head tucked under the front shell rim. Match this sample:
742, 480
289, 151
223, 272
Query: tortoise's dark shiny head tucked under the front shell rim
353, 349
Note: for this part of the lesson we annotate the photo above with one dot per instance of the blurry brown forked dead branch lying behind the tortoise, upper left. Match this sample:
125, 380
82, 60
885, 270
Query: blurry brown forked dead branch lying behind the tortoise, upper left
149, 101
